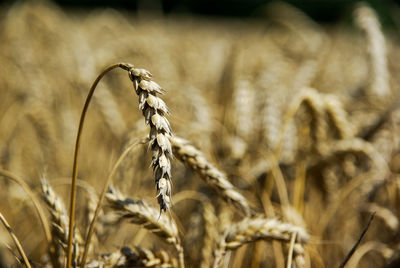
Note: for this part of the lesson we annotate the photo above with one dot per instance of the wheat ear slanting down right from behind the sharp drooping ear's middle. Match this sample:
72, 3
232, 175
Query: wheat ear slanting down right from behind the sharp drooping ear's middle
195, 160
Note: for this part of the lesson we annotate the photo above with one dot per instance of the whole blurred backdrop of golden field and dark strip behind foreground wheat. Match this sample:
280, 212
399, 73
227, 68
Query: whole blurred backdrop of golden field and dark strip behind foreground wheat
296, 101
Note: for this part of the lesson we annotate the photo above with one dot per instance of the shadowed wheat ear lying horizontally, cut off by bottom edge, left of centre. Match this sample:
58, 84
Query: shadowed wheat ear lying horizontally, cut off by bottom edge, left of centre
135, 257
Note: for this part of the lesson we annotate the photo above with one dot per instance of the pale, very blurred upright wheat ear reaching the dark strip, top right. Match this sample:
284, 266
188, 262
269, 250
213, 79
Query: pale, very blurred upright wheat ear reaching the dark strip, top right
367, 20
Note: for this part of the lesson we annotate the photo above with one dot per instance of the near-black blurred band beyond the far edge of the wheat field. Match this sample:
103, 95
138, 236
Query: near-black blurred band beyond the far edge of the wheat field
323, 11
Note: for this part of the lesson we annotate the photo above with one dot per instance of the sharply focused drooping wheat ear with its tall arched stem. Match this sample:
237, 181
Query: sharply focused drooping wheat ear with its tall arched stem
153, 109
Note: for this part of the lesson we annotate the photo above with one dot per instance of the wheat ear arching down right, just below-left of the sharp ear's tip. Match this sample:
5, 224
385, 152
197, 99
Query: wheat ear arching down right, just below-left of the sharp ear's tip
138, 212
